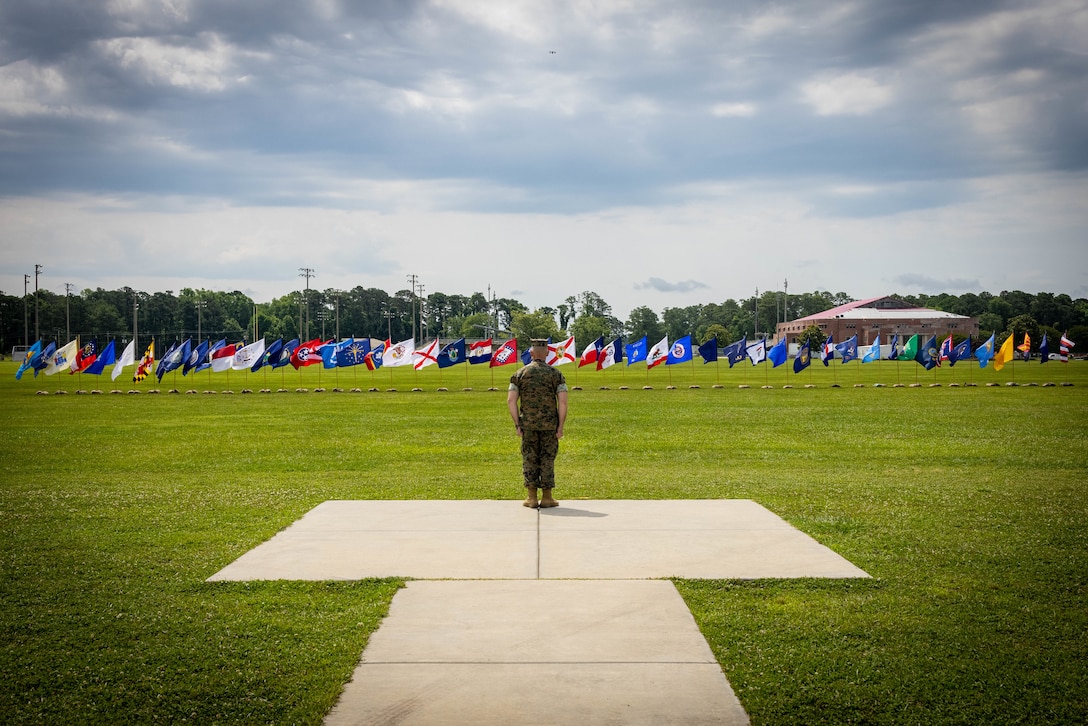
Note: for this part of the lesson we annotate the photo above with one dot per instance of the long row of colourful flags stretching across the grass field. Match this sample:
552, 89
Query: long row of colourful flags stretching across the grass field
374, 353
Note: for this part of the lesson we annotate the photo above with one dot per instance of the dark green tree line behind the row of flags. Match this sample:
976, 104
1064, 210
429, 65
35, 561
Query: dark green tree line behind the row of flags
369, 312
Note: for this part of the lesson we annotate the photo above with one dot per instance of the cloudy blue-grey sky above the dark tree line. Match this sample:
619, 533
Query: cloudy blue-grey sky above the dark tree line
658, 153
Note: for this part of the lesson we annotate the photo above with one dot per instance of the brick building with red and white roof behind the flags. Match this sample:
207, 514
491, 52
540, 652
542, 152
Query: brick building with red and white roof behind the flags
884, 316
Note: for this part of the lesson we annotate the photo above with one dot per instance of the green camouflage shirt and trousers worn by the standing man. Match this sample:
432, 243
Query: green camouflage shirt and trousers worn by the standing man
538, 386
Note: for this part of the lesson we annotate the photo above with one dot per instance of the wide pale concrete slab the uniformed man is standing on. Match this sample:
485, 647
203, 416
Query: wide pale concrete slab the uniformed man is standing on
598, 539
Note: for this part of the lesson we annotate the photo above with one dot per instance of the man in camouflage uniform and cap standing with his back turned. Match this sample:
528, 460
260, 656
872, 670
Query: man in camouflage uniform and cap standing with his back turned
542, 395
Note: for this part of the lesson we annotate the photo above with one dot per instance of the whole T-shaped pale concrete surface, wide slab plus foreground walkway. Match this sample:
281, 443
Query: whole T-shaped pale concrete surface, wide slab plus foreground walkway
541, 617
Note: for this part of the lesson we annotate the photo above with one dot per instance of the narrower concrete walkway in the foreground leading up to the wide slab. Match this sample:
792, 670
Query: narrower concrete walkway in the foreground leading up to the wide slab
538, 653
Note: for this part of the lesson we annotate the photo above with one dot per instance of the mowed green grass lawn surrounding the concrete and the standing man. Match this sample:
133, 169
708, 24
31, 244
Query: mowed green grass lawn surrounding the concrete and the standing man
967, 503
